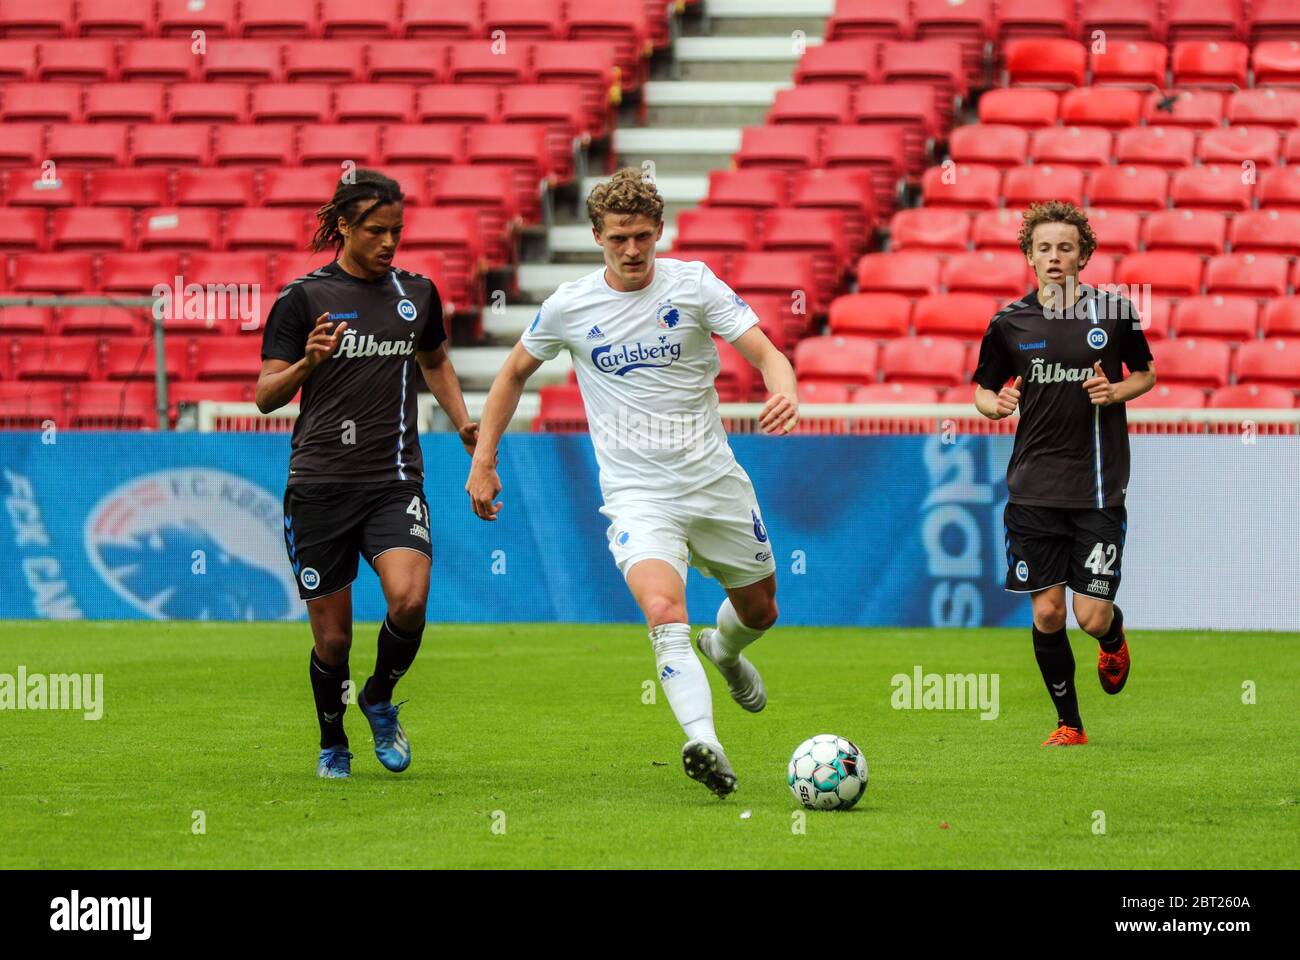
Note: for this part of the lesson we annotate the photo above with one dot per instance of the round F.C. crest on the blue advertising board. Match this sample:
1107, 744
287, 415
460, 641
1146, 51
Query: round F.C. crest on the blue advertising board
193, 544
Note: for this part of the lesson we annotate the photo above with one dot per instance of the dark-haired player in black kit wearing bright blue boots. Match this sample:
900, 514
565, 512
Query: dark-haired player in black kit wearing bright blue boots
353, 335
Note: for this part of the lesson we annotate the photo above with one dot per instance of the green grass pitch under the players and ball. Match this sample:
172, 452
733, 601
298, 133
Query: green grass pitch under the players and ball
532, 747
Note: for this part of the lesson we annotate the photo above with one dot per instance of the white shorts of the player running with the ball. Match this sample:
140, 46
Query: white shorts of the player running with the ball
718, 530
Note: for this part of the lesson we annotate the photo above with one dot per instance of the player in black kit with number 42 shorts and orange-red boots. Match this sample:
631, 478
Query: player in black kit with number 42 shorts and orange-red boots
1064, 349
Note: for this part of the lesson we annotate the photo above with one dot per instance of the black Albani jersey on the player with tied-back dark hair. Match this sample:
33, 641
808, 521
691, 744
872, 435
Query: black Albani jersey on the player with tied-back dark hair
358, 413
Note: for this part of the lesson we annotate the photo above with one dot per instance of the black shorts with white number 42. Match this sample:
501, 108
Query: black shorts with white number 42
1054, 546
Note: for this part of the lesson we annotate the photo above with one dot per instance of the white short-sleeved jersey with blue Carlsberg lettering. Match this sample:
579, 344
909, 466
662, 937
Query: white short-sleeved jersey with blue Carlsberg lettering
645, 366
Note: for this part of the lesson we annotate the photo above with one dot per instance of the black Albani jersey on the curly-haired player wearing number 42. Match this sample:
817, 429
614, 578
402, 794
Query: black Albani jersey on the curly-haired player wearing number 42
1068, 452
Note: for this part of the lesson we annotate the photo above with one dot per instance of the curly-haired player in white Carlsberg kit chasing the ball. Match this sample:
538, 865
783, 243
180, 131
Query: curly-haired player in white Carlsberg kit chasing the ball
640, 331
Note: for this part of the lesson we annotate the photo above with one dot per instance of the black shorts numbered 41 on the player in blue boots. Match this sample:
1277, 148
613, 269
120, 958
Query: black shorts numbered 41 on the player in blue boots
328, 525
